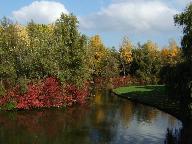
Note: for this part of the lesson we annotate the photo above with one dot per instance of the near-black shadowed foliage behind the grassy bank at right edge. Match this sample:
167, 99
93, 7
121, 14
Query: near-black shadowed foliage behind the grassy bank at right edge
178, 79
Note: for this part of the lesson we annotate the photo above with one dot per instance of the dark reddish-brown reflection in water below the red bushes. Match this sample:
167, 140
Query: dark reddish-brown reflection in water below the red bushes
42, 126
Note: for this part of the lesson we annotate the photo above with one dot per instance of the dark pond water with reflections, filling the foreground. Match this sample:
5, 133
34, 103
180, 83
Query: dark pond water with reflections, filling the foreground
108, 119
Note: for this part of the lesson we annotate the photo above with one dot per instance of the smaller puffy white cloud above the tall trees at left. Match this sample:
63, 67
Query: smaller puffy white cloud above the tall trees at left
40, 12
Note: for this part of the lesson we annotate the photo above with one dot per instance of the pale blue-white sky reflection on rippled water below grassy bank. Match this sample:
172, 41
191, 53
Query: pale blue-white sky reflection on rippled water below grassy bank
152, 132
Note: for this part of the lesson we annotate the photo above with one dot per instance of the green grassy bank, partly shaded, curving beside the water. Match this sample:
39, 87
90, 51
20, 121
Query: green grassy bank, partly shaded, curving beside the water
152, 95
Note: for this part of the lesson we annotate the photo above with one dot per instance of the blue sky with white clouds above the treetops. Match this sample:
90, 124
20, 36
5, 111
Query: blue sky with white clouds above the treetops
140, 20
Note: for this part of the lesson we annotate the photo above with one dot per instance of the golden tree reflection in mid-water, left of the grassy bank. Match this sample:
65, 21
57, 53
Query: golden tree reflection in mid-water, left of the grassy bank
103, 118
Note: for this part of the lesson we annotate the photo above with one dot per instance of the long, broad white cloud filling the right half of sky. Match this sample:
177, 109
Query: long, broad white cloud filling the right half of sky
133, 16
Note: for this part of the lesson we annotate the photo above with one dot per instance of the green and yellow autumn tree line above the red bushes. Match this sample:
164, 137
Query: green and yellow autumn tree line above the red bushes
33, 52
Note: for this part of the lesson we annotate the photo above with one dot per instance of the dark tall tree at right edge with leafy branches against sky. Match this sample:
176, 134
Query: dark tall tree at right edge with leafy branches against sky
184, 19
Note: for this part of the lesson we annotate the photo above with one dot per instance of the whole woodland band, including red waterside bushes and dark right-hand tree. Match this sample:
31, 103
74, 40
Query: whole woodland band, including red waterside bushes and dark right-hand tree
53, 65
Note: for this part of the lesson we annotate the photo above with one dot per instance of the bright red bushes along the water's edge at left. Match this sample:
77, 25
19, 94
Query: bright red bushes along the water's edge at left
48, 93
